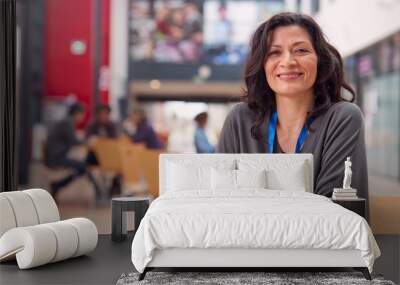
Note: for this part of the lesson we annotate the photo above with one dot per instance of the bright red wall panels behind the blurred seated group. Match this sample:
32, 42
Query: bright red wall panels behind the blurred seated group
66, 73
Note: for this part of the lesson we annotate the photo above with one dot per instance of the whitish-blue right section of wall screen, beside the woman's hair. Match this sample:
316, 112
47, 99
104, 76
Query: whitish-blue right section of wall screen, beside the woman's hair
228, 26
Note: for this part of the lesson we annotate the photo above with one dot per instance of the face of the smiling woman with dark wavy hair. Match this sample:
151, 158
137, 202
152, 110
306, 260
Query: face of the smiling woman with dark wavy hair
291, 64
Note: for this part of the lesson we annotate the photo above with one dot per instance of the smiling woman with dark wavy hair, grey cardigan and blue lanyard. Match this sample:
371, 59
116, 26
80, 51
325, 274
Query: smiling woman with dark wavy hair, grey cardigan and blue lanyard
294, 103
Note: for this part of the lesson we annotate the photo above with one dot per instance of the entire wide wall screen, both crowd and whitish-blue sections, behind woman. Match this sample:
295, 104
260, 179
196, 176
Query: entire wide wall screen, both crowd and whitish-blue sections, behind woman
191, 32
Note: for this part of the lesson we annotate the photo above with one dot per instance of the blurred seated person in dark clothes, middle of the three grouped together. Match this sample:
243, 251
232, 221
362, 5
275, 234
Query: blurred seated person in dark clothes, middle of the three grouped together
100, 127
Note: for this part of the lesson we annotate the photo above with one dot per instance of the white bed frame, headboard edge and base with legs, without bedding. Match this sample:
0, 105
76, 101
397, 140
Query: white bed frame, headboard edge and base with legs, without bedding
246, 258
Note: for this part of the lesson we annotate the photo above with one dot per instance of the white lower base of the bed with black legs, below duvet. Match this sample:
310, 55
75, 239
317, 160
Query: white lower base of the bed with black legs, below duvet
248, 259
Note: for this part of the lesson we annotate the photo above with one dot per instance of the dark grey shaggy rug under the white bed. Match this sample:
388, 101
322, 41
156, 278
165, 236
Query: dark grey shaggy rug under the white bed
229, 278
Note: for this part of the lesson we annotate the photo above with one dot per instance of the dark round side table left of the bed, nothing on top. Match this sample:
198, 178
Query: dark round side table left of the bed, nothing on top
119, 206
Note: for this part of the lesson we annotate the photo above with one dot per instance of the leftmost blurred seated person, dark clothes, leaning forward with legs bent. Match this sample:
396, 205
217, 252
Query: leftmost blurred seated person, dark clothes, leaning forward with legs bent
60, 141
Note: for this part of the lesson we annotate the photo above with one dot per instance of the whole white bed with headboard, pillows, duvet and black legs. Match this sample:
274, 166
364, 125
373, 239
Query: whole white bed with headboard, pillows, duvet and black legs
247, 210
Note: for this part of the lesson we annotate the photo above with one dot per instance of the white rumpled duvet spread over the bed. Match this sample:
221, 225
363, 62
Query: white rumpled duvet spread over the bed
253, 218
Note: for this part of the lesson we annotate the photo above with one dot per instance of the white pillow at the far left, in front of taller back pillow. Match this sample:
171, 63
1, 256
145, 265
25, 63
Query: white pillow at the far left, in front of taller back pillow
181, 177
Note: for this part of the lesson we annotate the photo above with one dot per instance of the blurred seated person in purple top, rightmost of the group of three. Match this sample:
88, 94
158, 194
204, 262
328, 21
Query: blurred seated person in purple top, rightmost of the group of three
140, 131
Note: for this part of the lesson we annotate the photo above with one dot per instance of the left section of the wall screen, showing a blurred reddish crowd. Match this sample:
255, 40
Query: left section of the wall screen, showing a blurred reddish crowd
166, 31
